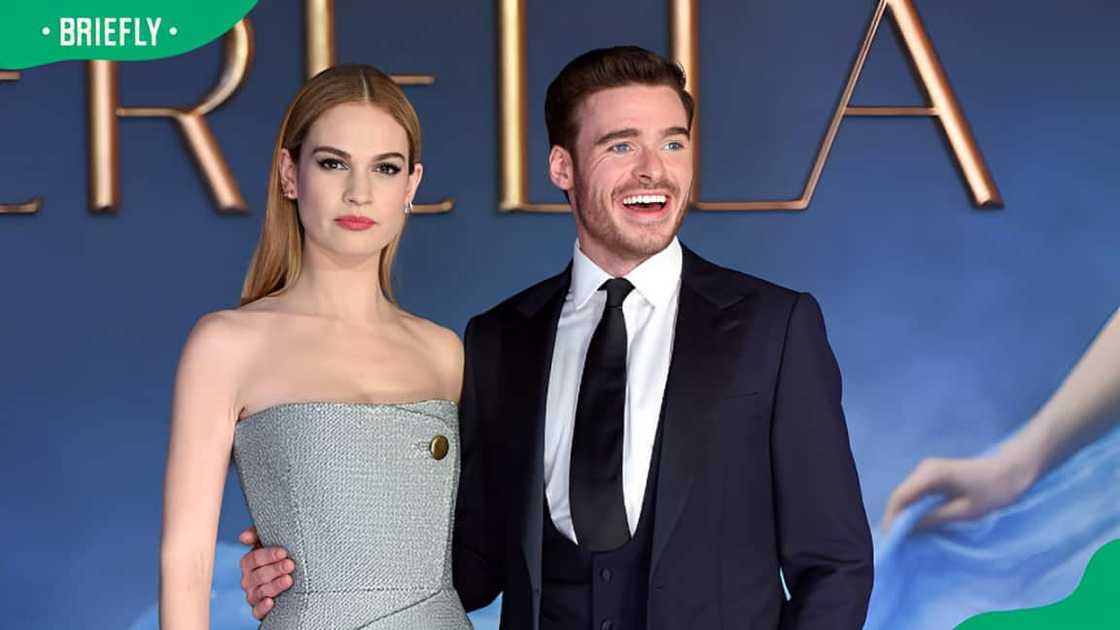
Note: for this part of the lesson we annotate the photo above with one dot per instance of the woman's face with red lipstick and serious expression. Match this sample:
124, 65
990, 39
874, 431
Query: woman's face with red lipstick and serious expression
352, 181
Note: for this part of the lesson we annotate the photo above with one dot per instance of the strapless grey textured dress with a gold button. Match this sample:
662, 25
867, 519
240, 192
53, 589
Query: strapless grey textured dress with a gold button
362, 496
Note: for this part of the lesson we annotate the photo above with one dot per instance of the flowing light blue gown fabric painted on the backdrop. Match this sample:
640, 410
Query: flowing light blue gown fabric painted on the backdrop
1029, 554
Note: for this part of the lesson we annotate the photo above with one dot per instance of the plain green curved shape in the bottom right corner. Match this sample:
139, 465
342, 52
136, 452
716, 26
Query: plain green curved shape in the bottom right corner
1094, 605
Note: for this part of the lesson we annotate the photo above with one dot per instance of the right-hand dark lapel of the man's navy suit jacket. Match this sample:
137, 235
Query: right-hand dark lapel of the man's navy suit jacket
701, 354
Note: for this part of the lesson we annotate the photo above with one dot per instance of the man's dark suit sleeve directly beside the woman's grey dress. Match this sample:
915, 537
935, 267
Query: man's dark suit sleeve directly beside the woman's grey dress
478, 553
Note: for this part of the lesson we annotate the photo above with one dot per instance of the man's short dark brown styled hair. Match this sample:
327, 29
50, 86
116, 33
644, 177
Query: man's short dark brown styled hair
603, 69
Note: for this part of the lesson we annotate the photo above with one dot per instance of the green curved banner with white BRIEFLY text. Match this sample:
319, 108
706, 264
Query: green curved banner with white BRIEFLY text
38, 33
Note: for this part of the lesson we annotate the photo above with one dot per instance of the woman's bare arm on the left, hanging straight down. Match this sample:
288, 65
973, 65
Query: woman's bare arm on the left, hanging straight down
203, 419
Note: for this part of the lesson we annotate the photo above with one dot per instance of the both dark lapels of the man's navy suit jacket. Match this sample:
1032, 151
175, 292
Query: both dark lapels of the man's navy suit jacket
706, 319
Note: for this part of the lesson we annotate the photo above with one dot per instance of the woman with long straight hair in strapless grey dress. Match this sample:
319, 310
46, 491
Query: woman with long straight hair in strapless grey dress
340, 407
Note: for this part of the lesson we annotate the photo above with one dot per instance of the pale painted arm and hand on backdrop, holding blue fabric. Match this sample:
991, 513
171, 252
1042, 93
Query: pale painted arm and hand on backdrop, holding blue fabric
1084, 407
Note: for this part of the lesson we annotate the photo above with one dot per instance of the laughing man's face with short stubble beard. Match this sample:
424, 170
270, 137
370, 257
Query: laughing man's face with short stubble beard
631, 173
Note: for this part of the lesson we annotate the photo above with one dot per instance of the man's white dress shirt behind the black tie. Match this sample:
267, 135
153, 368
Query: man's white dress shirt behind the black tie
651, 318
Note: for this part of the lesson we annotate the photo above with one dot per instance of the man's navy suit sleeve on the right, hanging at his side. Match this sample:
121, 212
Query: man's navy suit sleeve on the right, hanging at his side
824, 540
